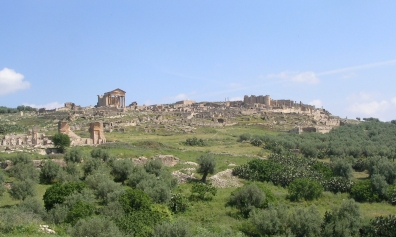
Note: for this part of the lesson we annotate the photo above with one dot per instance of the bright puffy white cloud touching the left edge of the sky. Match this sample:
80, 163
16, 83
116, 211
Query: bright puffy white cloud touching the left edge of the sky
11, 81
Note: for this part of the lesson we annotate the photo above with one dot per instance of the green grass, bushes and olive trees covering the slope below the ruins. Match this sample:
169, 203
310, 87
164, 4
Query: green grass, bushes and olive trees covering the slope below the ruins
285, 185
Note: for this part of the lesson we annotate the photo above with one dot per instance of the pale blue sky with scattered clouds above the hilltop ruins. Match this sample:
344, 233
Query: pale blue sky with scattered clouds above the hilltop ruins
337, 54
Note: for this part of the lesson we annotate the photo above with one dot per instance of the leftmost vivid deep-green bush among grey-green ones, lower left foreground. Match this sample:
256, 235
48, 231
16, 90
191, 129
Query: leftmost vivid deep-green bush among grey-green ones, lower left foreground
57, 193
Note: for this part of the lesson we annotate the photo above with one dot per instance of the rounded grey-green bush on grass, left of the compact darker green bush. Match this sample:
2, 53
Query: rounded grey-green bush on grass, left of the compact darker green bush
247, 198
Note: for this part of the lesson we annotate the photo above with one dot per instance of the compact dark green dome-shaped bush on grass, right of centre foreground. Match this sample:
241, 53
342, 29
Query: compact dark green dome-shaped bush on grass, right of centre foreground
303, 188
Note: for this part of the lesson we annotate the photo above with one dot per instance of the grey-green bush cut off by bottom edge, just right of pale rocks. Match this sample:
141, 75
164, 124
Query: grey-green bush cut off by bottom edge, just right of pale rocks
95, 227
